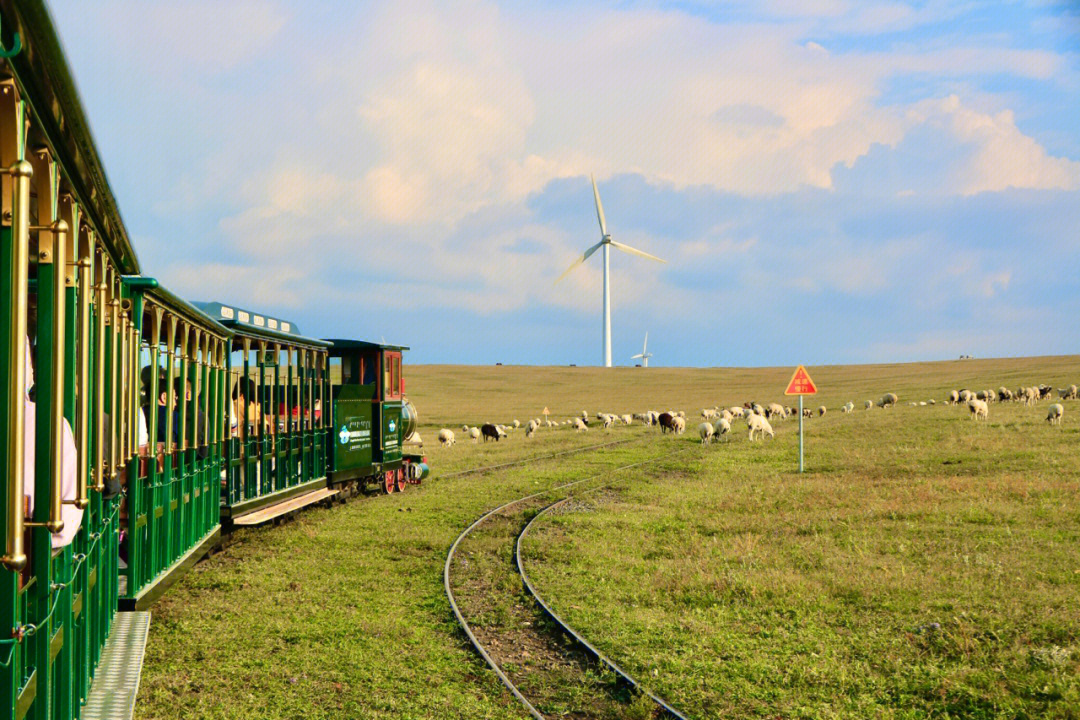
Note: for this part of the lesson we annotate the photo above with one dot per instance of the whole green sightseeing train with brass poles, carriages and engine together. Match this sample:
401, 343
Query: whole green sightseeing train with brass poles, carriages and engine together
152, 426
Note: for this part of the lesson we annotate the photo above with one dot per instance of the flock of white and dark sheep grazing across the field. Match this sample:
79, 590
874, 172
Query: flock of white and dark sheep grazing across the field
718, 422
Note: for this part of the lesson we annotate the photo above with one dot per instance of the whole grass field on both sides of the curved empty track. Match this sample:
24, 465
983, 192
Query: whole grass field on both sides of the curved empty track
736, 587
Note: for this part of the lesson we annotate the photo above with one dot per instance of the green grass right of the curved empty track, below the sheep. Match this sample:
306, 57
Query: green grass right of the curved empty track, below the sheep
926, 566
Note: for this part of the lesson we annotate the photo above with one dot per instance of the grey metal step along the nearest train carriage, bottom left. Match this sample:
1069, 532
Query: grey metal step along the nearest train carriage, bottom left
116, 684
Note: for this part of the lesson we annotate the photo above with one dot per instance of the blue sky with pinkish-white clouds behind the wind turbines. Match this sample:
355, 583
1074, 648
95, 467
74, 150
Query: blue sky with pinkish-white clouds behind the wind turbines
831, 182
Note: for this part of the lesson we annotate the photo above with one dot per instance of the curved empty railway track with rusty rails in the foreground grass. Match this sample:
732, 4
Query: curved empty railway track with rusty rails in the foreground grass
544, 662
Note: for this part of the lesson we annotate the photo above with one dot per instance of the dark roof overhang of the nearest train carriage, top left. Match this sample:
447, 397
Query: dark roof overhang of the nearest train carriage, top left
45, 80
